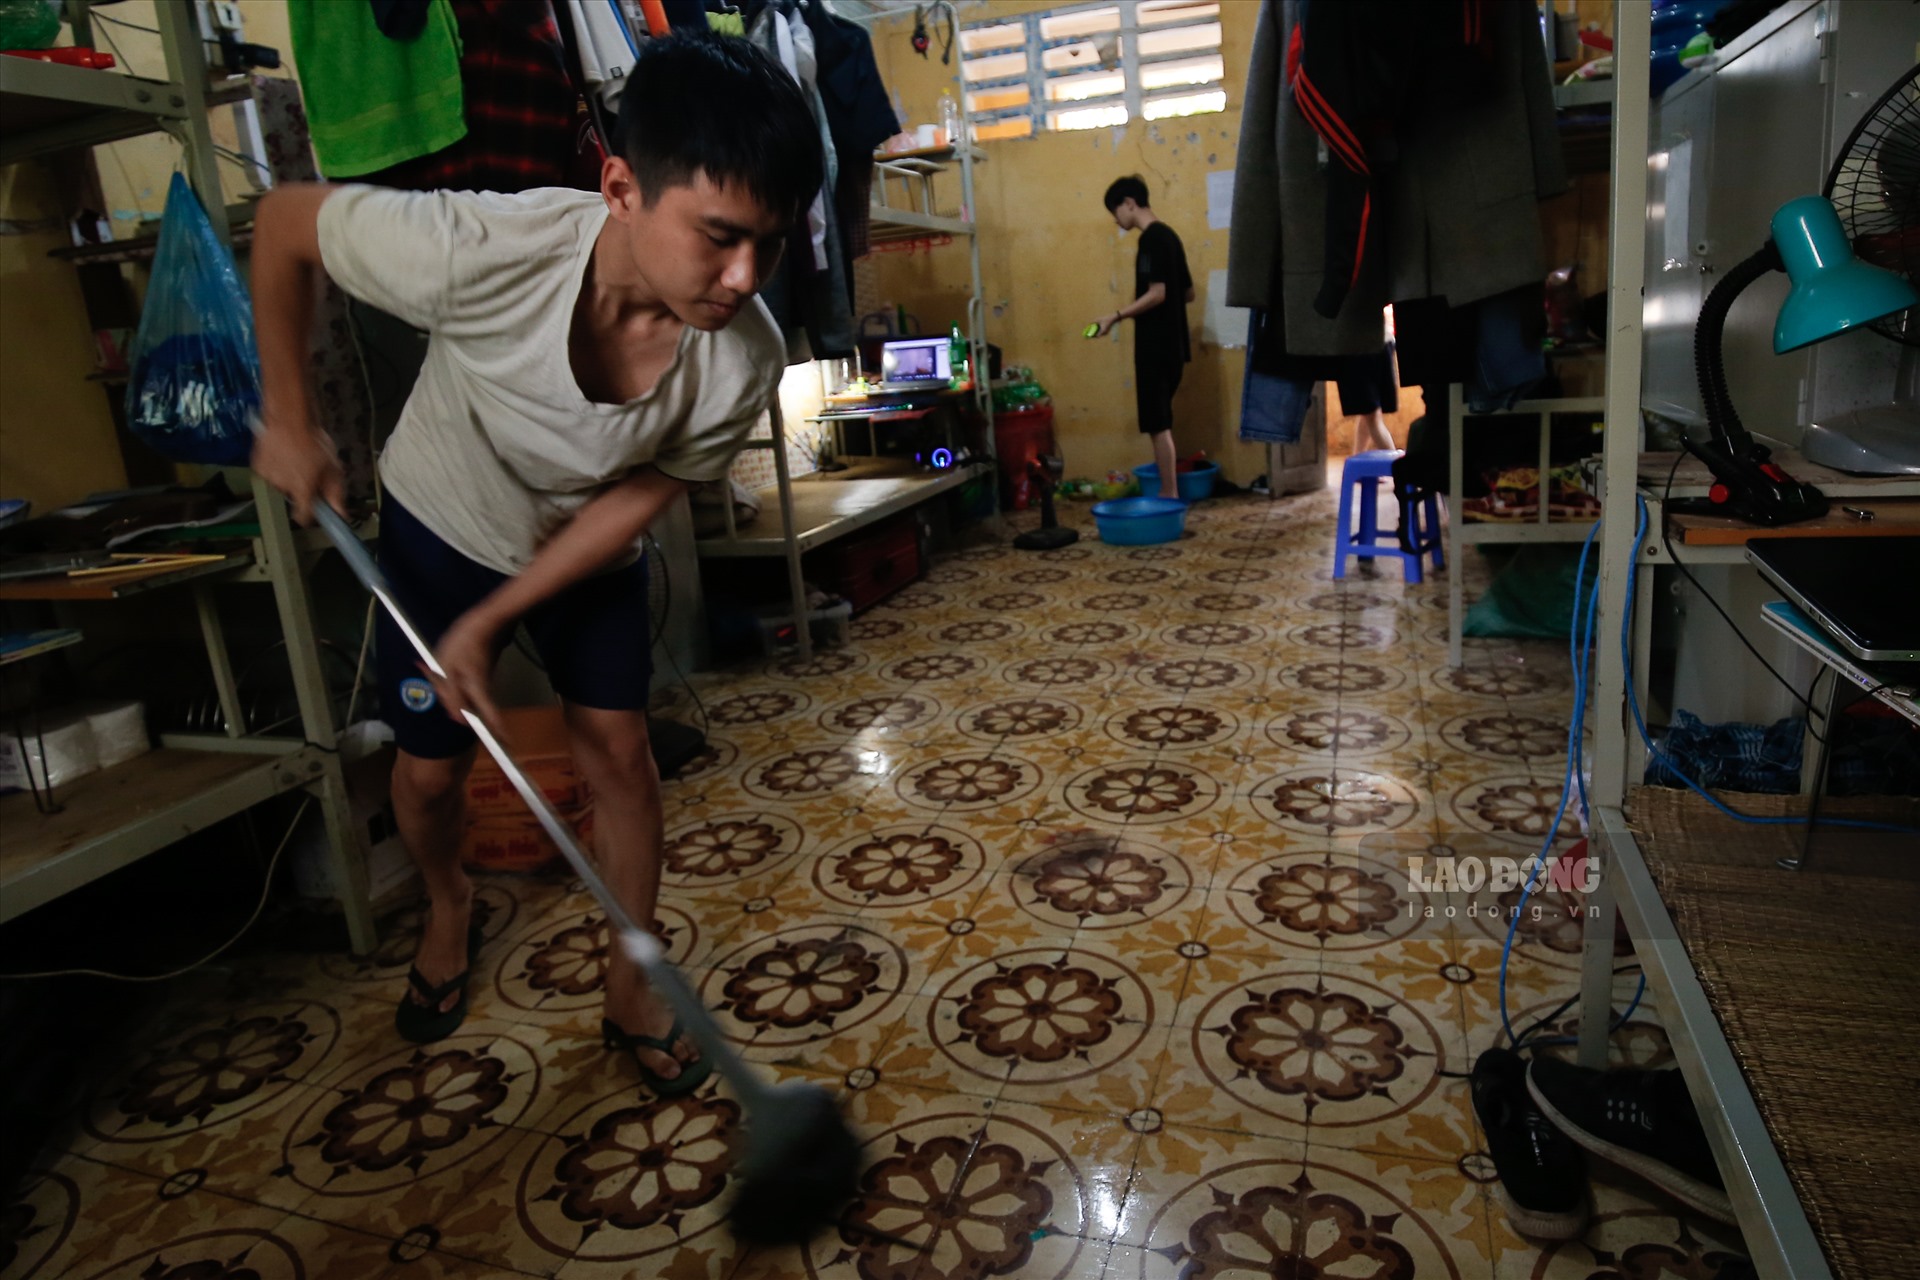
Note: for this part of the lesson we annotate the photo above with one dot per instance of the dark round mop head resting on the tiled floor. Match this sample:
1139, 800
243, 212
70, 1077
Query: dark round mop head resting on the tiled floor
802, 1170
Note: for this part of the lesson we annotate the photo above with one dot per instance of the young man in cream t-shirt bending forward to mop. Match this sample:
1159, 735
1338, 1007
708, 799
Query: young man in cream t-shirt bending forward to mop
590, 358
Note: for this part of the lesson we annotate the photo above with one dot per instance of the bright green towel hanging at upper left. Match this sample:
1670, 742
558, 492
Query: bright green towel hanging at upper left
372, 101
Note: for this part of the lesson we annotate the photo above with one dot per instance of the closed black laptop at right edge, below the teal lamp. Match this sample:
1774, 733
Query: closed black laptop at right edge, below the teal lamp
1865, 592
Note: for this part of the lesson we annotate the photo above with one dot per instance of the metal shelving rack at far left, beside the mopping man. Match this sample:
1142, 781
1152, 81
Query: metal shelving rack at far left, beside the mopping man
189, 784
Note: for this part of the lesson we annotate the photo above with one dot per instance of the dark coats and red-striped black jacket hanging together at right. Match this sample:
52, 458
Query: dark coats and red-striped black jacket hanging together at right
1458, 143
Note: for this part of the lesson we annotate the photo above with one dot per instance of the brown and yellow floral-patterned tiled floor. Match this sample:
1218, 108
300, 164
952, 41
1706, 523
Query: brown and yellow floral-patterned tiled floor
1084, 880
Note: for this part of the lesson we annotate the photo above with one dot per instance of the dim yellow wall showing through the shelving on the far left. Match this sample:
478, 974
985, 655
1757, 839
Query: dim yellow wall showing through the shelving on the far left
57, 435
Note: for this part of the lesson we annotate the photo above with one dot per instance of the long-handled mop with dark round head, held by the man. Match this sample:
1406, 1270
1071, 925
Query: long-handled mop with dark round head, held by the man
802, 1162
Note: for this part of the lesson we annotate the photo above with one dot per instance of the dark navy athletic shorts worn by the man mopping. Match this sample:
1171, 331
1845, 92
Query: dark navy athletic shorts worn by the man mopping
594, 638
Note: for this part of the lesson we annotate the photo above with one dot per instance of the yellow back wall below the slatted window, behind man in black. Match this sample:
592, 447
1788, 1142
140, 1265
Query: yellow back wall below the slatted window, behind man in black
1053, 260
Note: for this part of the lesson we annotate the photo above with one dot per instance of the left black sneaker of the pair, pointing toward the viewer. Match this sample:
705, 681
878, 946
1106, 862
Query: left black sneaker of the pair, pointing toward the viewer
1543, 1175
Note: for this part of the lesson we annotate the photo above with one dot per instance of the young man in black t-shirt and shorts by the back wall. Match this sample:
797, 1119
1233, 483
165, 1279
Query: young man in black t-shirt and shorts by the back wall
1159, 312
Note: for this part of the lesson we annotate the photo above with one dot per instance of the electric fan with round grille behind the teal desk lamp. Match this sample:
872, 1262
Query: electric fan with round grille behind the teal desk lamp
1875, 187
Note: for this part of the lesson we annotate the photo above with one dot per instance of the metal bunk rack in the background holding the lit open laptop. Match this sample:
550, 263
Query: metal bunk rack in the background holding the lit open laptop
853, 504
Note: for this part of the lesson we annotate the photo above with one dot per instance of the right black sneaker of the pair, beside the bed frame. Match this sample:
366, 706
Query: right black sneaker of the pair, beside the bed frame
1639, 1120
